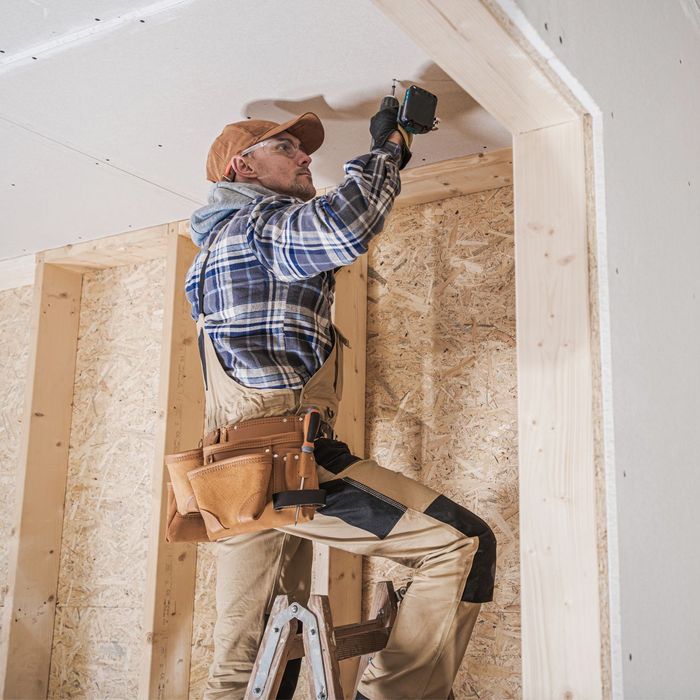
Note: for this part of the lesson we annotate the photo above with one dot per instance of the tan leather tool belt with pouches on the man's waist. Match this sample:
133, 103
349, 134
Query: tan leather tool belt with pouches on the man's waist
253, 475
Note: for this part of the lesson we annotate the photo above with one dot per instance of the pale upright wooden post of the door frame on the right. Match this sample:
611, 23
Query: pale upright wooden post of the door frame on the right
559, 566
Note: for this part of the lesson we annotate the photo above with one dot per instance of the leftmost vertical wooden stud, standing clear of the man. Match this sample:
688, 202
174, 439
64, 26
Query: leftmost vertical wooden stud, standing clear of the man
27, 629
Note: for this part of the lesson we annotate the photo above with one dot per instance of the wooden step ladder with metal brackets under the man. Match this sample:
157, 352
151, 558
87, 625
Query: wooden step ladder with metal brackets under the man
323, 644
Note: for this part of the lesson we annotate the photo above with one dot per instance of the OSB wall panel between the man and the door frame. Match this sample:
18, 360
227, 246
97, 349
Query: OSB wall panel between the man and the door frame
441, 393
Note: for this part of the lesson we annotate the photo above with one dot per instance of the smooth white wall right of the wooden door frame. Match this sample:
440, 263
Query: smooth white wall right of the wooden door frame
640, 62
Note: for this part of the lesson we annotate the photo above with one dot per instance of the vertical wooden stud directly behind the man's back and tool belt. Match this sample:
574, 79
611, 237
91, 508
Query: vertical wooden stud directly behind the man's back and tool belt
171, 567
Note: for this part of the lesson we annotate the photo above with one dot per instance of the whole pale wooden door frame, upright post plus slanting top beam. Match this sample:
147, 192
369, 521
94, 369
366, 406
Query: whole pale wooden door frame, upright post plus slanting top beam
492, 52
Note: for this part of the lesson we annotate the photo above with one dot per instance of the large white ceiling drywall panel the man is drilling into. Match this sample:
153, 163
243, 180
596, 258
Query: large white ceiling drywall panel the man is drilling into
148, 97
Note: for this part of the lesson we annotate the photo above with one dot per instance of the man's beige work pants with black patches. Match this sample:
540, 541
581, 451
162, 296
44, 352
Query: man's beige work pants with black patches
376, 512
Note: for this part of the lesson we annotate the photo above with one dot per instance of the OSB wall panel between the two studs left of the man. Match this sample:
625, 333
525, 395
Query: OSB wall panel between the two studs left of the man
102, 577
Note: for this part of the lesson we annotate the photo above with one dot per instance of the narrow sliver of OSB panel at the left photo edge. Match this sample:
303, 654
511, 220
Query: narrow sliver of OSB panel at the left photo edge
15, 317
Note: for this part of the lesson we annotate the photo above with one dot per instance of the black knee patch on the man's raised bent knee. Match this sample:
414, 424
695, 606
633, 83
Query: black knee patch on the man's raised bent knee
482, 573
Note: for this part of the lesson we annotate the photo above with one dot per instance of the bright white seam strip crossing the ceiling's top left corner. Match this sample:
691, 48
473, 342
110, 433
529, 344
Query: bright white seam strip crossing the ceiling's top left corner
80, 36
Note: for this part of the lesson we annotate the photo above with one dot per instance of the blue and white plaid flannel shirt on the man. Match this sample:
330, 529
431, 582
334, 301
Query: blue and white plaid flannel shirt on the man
269, 281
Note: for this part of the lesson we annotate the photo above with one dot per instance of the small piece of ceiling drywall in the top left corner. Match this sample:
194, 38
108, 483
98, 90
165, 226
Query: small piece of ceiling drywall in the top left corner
30, 23
